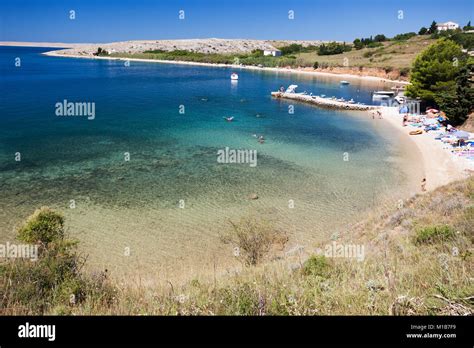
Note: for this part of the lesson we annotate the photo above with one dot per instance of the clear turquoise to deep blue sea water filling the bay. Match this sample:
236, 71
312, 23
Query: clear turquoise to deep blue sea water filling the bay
173, 156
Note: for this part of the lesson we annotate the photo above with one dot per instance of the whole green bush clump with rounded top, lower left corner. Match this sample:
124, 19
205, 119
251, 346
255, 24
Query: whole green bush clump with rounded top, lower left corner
54, 283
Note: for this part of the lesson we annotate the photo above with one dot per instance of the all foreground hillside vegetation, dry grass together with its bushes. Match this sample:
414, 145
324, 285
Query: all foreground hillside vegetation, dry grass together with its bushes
418, 260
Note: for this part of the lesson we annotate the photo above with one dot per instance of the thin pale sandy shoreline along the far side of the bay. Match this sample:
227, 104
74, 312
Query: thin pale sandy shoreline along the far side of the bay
247, 67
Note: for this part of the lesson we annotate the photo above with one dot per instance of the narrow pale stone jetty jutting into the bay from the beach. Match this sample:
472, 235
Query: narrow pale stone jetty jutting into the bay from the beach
324, 102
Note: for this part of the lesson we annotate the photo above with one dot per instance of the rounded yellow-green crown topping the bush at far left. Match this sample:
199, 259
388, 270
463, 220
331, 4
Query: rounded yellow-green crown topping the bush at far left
44, 226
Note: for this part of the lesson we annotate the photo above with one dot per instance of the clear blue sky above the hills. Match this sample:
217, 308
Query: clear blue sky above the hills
99, 21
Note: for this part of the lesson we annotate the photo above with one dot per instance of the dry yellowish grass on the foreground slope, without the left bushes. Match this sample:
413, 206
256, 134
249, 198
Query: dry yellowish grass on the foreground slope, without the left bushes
398, 276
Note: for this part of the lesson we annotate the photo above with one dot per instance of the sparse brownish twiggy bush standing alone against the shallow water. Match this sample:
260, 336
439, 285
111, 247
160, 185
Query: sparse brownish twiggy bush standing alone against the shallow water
254, 239
